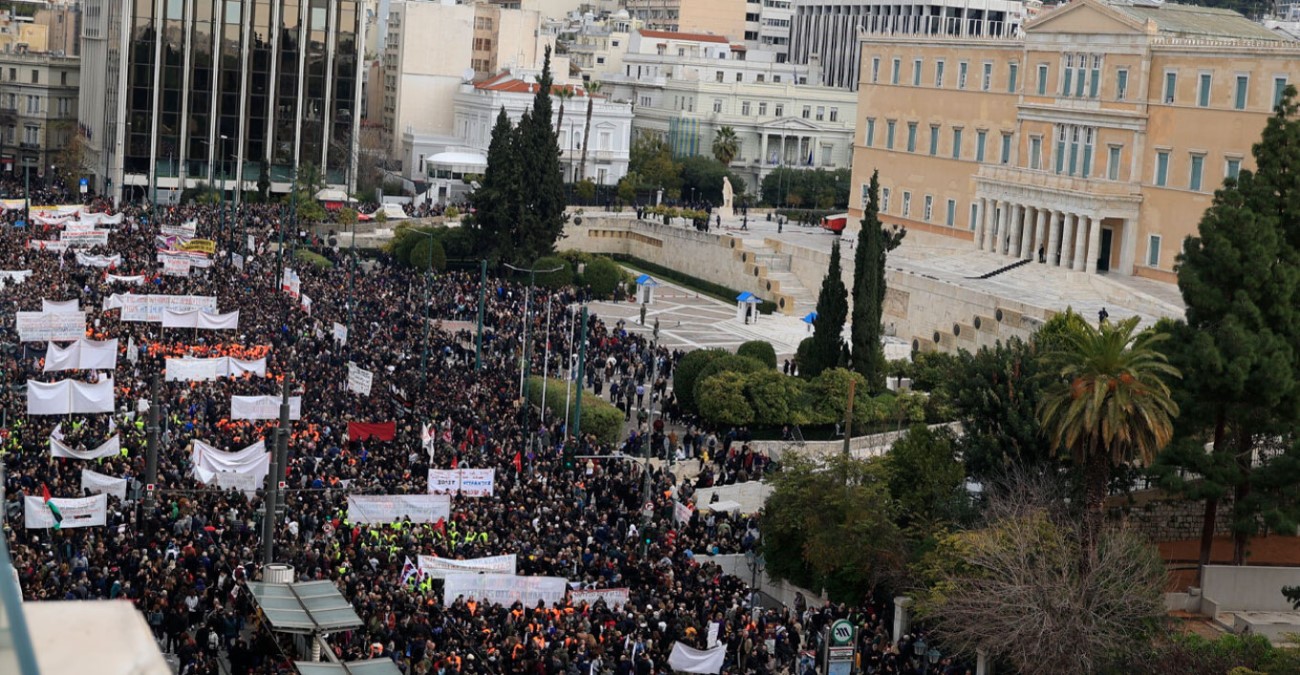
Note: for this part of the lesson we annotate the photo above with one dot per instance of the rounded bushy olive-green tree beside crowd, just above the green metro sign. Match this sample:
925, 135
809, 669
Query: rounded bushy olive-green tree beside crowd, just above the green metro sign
827, 526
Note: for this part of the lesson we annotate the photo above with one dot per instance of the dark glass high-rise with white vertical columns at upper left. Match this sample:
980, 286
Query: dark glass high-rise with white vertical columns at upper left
185, 92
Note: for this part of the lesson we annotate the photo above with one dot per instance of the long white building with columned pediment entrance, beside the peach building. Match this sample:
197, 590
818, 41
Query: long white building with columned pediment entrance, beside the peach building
686, 88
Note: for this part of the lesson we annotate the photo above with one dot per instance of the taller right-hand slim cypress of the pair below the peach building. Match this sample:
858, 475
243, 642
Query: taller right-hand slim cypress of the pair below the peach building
869, 289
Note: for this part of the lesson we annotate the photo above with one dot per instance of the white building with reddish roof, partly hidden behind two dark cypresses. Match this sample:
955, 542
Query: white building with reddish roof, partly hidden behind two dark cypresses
447, 162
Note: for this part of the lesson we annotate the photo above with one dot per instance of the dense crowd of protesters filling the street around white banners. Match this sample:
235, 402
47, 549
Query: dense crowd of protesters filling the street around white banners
185, 561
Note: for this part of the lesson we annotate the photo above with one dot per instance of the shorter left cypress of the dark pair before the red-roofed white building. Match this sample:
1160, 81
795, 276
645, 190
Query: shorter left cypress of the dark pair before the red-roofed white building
495, 214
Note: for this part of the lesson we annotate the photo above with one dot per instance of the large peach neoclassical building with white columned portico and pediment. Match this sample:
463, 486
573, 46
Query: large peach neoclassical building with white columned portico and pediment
1094, 141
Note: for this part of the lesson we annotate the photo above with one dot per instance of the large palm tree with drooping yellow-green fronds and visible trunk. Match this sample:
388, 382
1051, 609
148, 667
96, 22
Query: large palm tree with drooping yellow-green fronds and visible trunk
1107, 405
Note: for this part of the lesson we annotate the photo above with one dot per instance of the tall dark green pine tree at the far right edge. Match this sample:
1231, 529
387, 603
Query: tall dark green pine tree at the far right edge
1241, 282
